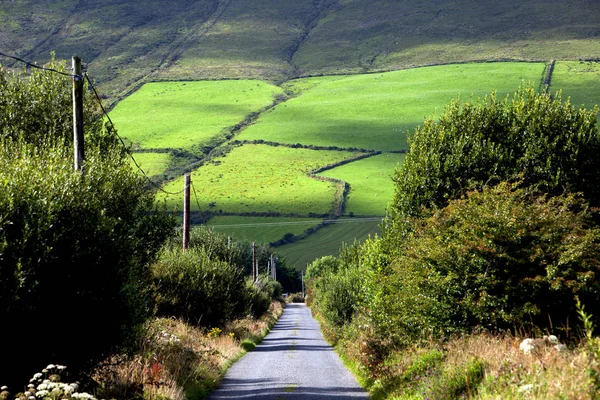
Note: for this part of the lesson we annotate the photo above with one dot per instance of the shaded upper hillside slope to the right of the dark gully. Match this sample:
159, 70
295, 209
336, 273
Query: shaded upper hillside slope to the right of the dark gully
382, 34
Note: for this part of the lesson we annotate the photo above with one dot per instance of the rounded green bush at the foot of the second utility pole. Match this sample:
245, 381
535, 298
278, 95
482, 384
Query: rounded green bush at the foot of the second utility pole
197, 286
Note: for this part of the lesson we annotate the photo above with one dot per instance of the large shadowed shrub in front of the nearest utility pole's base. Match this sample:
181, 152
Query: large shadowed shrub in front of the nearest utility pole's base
74, 245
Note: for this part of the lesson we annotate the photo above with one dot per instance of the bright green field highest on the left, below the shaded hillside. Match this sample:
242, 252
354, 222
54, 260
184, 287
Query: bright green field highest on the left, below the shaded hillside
187, 114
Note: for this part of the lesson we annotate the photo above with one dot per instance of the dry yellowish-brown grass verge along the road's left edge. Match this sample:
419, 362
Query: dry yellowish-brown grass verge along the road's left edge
178, 361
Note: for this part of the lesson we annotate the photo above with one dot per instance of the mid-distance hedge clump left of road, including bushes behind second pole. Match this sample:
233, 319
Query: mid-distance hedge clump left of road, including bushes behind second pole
209, 284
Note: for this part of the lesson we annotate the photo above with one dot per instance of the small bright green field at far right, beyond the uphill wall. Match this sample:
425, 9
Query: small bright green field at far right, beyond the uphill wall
579, 80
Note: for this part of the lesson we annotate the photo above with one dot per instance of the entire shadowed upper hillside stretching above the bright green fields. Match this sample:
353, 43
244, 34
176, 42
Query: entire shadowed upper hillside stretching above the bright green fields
126, 42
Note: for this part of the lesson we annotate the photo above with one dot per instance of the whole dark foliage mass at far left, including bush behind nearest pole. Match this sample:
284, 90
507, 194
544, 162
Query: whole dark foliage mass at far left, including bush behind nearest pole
74, 248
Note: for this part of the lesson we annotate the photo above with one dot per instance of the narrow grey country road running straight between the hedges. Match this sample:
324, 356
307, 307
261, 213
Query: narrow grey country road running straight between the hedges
293, 362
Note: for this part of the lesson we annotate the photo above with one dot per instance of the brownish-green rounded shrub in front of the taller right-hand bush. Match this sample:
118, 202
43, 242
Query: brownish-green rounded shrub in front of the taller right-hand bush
499, 257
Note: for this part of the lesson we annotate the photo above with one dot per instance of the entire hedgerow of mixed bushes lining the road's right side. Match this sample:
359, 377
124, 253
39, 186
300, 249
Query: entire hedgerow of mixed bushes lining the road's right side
494, 226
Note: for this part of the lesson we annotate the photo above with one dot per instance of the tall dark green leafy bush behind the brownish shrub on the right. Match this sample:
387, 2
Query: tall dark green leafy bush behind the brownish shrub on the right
534, 137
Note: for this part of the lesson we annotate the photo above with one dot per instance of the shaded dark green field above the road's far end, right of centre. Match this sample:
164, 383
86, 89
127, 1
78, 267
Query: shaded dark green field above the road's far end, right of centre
327, 241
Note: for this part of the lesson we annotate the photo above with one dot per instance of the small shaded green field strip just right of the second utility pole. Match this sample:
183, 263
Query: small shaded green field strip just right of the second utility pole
260, 229
